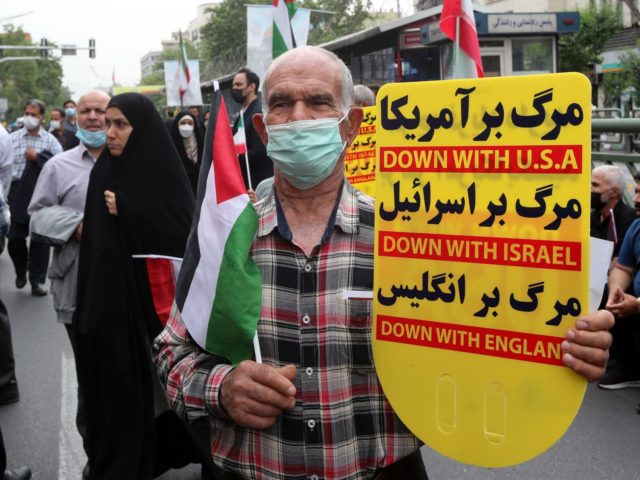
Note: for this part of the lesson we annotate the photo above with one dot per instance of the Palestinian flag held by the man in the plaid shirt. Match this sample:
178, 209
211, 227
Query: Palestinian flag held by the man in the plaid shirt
219, 290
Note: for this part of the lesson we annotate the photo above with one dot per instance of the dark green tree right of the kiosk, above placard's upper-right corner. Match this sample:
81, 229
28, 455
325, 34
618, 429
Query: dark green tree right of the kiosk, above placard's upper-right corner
578, 51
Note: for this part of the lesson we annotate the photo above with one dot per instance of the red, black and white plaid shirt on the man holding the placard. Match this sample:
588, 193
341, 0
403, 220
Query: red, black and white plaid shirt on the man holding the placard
342, 426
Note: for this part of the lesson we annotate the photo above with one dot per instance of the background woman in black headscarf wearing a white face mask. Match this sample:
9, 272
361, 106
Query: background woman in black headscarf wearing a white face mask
188, 141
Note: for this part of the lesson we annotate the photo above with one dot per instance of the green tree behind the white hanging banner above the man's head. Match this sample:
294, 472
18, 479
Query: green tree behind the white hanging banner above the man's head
224, 37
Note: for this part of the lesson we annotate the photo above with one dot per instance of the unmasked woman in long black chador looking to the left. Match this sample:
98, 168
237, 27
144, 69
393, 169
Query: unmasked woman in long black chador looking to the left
139, 203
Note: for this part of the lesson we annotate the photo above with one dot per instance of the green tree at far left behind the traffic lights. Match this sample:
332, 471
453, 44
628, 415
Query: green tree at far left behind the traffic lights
23, 80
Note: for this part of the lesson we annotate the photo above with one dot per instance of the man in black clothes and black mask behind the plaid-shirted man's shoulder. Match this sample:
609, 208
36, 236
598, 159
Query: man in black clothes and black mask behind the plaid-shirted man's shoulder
245, 92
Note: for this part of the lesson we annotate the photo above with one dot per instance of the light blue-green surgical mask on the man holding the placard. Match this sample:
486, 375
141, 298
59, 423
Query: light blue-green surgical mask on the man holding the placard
306, 151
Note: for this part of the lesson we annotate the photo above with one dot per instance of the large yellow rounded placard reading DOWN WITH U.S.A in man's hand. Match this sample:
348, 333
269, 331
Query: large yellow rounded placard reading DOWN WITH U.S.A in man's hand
482, 194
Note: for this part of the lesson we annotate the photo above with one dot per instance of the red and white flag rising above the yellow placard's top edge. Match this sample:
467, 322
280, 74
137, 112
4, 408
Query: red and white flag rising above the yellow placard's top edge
459, 13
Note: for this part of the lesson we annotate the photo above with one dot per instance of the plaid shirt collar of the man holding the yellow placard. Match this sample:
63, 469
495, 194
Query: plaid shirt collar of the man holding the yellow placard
345, 214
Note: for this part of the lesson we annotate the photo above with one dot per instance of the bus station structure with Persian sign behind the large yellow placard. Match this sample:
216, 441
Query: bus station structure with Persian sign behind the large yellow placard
414, 49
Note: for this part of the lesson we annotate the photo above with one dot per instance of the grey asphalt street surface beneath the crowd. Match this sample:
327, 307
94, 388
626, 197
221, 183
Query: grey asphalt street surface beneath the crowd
39, 431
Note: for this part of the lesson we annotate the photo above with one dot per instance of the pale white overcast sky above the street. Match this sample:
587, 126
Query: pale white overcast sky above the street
124, 31
